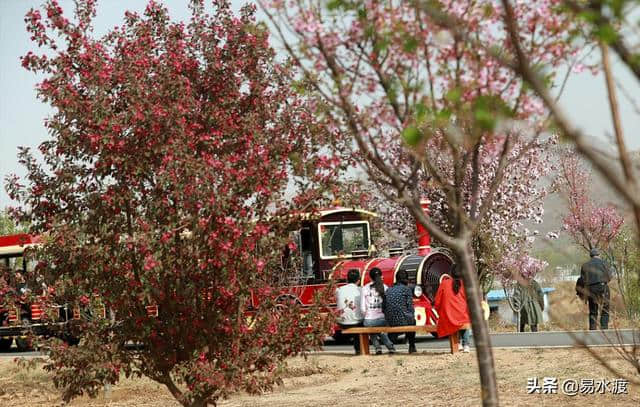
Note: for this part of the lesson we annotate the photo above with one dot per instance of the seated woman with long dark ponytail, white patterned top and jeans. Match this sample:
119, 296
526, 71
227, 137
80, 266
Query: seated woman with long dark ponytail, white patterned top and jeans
373, 295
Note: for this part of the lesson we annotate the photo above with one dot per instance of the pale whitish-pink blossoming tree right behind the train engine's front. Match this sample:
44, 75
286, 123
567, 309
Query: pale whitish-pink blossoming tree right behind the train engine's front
501, 236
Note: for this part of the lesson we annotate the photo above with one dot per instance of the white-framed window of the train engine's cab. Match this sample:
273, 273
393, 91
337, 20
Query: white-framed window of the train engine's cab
341, 239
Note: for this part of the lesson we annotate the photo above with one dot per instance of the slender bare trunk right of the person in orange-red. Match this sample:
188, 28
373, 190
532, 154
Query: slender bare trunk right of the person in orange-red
481, 338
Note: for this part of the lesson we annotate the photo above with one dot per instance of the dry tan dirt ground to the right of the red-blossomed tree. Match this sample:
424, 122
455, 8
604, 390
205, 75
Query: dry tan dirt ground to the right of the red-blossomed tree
437, 380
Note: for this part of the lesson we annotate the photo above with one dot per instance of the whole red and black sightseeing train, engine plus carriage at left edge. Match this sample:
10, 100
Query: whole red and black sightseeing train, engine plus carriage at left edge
324, 247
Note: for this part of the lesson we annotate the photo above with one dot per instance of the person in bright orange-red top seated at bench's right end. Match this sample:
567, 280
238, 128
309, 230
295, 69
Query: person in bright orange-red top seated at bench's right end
451, 305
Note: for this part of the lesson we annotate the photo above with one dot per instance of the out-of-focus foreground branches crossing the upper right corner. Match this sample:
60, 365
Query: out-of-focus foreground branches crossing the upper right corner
611, 25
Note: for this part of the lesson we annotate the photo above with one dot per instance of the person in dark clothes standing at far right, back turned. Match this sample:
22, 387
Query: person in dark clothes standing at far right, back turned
596, 276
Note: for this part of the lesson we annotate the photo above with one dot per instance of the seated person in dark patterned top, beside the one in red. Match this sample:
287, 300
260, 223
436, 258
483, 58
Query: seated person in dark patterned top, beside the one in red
399, 307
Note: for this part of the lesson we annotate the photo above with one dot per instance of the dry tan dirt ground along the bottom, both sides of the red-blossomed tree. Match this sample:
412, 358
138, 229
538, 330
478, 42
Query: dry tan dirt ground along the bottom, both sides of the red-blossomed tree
430, 379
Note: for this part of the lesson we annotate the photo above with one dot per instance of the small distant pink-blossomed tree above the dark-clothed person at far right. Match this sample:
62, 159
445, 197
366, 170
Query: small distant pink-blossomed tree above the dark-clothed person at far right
589, 225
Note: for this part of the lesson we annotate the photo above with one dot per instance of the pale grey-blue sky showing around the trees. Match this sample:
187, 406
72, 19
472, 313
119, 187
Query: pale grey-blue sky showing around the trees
22, 115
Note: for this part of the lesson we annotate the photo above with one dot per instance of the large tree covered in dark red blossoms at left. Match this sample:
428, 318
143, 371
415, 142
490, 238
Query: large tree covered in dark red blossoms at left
173, 148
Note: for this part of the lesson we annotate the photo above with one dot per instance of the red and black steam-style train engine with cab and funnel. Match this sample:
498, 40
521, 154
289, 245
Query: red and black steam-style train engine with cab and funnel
333, 241
